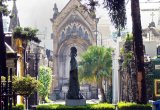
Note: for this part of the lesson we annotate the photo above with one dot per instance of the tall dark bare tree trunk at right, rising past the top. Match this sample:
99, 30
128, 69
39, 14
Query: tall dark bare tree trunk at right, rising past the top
138, 48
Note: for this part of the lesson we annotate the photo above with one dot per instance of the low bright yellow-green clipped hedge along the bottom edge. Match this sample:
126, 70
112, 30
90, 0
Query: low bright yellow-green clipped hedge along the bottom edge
104, 106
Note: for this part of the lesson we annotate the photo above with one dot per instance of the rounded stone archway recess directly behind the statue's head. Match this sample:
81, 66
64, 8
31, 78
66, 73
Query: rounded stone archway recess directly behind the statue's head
63, 60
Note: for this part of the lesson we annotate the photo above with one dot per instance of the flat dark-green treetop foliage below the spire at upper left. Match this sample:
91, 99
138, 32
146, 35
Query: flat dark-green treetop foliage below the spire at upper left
26, 34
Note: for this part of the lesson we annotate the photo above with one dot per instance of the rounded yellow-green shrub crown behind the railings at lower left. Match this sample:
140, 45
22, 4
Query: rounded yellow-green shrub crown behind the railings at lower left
29, 83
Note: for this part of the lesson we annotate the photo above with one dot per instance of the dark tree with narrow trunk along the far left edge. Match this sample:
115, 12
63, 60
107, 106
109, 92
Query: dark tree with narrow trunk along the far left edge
3, 70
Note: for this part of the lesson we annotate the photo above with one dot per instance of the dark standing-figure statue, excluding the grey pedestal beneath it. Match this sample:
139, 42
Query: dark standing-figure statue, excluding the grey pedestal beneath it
74, 89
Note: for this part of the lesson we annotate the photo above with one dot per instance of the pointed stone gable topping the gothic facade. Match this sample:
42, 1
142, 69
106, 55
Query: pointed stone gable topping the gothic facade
65, 17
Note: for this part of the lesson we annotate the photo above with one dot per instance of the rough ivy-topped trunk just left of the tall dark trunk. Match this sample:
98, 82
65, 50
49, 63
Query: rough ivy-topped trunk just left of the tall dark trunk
128, 74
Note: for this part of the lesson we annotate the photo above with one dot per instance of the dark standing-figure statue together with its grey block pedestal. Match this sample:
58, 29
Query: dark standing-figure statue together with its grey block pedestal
74, 97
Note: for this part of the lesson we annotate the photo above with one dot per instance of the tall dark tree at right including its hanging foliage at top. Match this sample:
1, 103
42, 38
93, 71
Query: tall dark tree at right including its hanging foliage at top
117, 13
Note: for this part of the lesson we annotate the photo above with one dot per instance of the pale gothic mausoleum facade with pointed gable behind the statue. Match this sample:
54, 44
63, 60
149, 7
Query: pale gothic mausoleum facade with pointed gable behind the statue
73, 26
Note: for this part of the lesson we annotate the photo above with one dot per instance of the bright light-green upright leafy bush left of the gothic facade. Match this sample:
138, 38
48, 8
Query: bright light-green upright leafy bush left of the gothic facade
45, 77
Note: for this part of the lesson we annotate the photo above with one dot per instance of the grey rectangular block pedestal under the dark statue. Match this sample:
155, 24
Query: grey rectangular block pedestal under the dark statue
75, 102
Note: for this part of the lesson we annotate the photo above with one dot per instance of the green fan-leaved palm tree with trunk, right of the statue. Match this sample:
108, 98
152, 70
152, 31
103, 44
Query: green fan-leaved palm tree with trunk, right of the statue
95, 65
